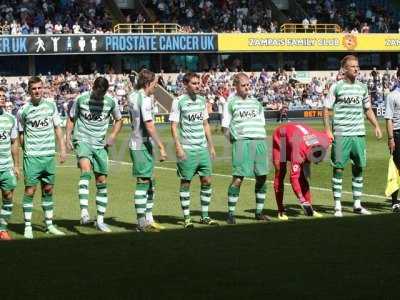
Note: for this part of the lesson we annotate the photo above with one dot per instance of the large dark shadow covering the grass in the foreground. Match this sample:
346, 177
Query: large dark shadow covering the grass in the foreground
178, 263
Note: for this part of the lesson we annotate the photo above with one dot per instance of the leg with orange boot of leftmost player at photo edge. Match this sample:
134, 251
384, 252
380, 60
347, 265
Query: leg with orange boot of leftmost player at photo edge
8, 182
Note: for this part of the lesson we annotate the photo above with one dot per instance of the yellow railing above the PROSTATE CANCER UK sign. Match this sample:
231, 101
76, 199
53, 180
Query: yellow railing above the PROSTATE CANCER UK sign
147, 28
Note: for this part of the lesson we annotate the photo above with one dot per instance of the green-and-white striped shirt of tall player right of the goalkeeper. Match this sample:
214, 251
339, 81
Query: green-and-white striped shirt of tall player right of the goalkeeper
348, 101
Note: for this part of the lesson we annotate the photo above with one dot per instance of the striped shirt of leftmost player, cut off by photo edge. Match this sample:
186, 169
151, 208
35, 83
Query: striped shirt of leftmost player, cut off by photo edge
8, 132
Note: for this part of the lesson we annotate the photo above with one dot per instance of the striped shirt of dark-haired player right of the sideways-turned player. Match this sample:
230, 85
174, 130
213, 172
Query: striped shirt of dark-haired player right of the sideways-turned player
190, 115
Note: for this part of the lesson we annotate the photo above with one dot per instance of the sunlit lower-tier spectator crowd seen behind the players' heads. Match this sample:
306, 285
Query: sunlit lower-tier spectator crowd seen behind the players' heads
275, 90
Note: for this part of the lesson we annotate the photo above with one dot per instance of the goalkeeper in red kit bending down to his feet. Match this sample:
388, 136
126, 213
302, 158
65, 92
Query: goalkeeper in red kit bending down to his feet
300, 145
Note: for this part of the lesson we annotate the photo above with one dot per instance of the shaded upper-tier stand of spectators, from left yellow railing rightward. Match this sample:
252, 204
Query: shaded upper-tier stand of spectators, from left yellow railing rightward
357, 16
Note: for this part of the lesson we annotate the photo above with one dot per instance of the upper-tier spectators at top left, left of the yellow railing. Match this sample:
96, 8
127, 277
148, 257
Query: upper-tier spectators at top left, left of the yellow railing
53, 17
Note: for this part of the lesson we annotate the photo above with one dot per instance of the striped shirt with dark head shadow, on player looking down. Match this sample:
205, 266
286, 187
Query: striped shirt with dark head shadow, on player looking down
92, 118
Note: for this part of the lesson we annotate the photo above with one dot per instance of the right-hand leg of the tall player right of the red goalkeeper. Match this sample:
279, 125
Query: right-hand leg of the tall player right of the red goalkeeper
359, 163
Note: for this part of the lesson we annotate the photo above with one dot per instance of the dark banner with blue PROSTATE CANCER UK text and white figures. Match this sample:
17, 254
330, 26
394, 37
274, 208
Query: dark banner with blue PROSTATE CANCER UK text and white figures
107, 43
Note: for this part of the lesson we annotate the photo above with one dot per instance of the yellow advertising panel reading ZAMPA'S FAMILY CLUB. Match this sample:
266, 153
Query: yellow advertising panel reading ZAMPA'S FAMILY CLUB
304, 42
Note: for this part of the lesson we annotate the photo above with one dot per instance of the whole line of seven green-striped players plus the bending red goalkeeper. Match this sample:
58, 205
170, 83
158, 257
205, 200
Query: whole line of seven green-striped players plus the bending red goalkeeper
38, 126
